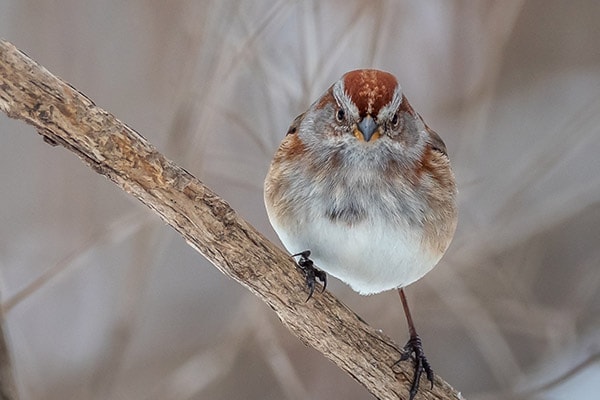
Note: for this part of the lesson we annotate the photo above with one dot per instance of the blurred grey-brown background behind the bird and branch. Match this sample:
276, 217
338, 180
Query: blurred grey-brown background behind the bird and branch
101, 300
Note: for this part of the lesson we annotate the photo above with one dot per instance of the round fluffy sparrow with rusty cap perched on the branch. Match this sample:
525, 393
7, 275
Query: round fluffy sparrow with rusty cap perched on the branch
362, 189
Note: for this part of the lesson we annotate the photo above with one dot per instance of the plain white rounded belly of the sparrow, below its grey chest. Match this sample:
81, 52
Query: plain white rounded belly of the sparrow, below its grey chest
371, 257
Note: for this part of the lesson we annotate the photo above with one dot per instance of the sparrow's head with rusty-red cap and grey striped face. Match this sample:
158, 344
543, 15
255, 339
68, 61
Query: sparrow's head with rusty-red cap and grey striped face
366, 110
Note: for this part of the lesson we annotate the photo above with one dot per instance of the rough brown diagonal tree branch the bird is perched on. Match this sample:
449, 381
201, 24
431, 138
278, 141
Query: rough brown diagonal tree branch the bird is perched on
67, 117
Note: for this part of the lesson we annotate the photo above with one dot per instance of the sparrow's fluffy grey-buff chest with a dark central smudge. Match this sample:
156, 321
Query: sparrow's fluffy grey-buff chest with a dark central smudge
351, 190
